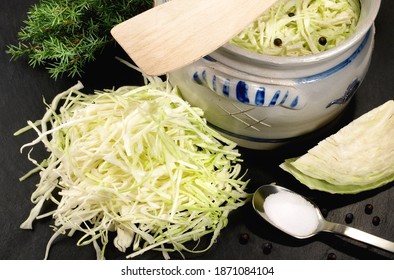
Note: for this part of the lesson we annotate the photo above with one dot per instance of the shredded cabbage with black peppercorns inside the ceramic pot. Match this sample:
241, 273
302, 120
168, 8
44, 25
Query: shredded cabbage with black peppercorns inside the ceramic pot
300, 27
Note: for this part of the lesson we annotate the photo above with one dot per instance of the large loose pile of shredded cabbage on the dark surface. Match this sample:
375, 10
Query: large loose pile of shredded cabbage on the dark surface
138, 161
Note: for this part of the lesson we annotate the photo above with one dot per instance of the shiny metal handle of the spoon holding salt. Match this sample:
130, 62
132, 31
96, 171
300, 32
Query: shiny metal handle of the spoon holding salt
359, 235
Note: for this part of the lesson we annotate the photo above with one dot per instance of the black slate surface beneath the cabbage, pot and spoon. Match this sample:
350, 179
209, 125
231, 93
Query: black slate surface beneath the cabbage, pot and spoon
22, 89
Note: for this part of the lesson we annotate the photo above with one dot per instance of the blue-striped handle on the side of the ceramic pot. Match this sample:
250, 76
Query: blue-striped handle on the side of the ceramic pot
247, 92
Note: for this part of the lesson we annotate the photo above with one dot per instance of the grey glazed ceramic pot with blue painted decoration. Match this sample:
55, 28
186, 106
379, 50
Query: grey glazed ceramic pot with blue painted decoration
262, 101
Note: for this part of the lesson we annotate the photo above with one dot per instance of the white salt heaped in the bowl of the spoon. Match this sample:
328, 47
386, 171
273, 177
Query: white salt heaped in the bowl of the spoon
291, 213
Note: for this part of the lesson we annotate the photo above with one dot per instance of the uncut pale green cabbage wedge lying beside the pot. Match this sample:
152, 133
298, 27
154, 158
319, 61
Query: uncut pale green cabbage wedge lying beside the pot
357, 158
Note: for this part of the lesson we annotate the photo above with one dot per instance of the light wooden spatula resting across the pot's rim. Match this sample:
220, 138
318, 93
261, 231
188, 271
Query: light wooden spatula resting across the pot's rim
180, 32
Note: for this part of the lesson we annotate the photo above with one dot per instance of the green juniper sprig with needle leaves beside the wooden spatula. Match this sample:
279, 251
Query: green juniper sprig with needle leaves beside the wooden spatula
64, 35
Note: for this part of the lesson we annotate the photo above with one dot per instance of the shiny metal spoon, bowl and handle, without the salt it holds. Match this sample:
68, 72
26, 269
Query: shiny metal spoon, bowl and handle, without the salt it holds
264, 191
